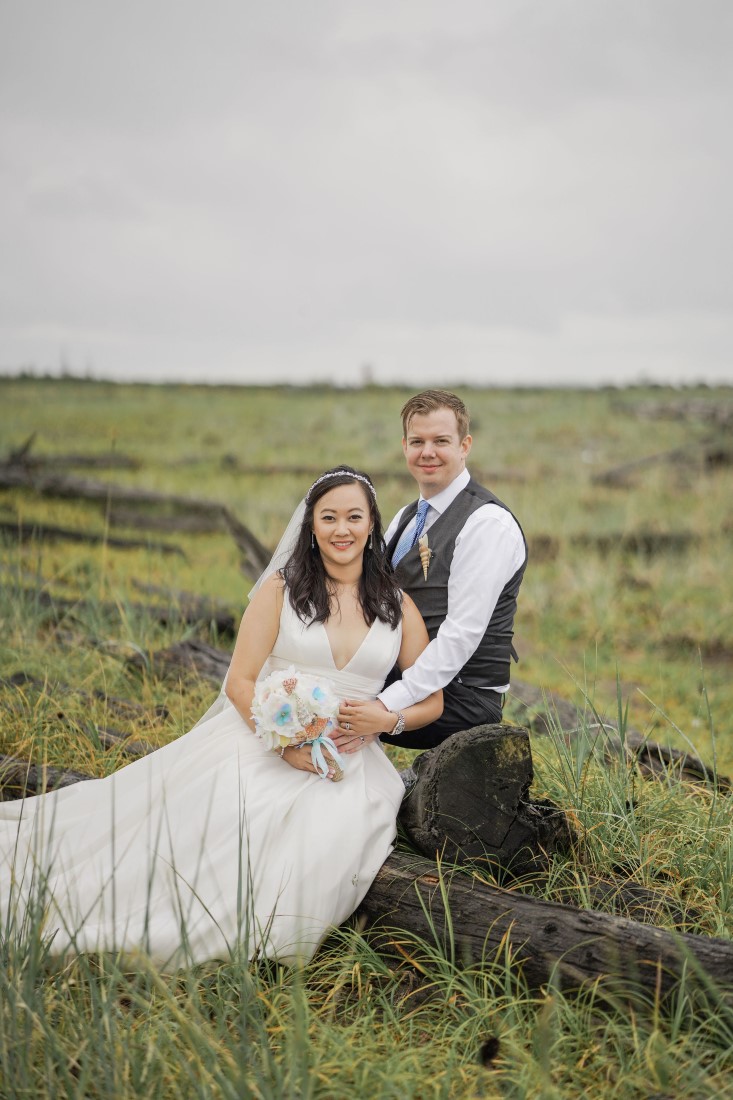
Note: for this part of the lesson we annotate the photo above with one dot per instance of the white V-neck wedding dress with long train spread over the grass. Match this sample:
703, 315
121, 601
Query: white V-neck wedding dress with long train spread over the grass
212, 845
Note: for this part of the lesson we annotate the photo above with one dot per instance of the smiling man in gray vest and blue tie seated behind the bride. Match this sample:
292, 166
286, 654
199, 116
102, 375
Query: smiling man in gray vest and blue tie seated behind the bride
476, 558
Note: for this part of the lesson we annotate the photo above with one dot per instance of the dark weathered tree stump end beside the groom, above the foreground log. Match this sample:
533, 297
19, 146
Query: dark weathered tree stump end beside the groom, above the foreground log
471, 801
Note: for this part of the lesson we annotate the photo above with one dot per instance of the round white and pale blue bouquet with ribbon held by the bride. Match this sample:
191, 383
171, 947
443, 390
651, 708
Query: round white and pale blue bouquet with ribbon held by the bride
292, 708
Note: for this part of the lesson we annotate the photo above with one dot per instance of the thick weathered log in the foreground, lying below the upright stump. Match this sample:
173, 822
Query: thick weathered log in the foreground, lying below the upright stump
577, 947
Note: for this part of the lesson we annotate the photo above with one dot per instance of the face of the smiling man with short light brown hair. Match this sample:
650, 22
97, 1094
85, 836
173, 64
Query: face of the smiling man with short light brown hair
435, 453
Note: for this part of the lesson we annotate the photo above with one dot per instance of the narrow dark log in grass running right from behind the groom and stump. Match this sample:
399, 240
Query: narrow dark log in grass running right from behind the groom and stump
546, 712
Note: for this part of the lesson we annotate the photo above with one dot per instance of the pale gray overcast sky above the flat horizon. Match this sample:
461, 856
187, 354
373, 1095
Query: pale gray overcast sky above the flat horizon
486, 191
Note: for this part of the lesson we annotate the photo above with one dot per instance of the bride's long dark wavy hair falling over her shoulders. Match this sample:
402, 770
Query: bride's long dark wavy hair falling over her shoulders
307, 579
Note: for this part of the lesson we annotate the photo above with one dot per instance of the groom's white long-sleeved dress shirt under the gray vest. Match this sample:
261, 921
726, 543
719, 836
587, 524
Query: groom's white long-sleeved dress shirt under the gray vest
489, 551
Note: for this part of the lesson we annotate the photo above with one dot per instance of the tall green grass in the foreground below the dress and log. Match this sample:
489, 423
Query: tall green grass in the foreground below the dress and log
353, 1024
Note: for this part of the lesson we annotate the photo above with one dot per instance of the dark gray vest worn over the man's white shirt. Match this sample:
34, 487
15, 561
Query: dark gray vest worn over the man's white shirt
489, 666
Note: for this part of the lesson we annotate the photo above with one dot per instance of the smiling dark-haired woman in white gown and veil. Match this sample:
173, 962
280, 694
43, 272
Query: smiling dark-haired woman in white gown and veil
215, 844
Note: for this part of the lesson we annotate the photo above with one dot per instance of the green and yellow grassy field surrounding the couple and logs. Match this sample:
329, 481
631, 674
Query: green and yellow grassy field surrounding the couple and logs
628, 602
